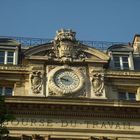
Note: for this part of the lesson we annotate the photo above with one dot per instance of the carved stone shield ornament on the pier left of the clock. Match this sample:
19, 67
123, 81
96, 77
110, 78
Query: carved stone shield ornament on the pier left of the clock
36, 82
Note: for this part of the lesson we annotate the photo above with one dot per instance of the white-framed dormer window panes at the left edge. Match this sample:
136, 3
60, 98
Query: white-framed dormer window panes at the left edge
7, 57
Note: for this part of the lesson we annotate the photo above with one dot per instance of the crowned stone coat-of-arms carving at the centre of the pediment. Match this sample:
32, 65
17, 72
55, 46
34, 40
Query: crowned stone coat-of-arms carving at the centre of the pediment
66, 46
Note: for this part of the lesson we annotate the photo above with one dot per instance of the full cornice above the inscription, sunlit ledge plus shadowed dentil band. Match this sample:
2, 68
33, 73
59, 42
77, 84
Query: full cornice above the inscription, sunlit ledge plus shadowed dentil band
79, 108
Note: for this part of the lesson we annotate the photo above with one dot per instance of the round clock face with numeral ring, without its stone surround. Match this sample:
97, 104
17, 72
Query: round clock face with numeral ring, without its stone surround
66, 80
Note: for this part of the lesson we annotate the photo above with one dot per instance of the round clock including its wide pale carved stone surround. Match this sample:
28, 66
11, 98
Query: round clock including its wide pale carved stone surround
65, 81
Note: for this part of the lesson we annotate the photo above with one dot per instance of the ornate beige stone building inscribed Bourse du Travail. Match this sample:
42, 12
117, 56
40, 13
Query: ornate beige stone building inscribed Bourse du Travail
66, 90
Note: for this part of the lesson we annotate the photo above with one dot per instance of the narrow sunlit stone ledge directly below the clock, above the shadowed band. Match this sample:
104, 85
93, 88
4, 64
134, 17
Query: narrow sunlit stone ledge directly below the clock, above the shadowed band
72, 101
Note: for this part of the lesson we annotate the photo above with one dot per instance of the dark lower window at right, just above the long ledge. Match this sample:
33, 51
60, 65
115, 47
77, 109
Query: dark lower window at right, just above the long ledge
126, 96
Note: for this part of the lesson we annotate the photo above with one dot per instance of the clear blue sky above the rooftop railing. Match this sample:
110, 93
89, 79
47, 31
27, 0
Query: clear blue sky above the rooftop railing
93, 20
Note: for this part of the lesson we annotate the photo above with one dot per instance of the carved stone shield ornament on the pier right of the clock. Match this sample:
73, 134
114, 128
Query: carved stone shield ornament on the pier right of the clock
98, 84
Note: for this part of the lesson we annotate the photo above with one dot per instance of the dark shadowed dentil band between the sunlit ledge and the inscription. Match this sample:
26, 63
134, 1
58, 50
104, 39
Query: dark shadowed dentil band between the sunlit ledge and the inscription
72, 110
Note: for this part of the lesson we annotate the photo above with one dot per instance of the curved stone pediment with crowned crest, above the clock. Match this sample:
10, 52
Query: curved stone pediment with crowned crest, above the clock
65, 48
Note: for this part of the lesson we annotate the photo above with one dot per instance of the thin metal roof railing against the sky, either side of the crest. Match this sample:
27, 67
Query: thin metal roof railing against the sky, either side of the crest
27, 41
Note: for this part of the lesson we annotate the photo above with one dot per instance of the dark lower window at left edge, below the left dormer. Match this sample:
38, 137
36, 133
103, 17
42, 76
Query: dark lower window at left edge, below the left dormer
6, 91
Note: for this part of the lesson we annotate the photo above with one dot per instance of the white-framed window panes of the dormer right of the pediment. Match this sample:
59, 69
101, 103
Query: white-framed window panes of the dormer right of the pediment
121, 62
